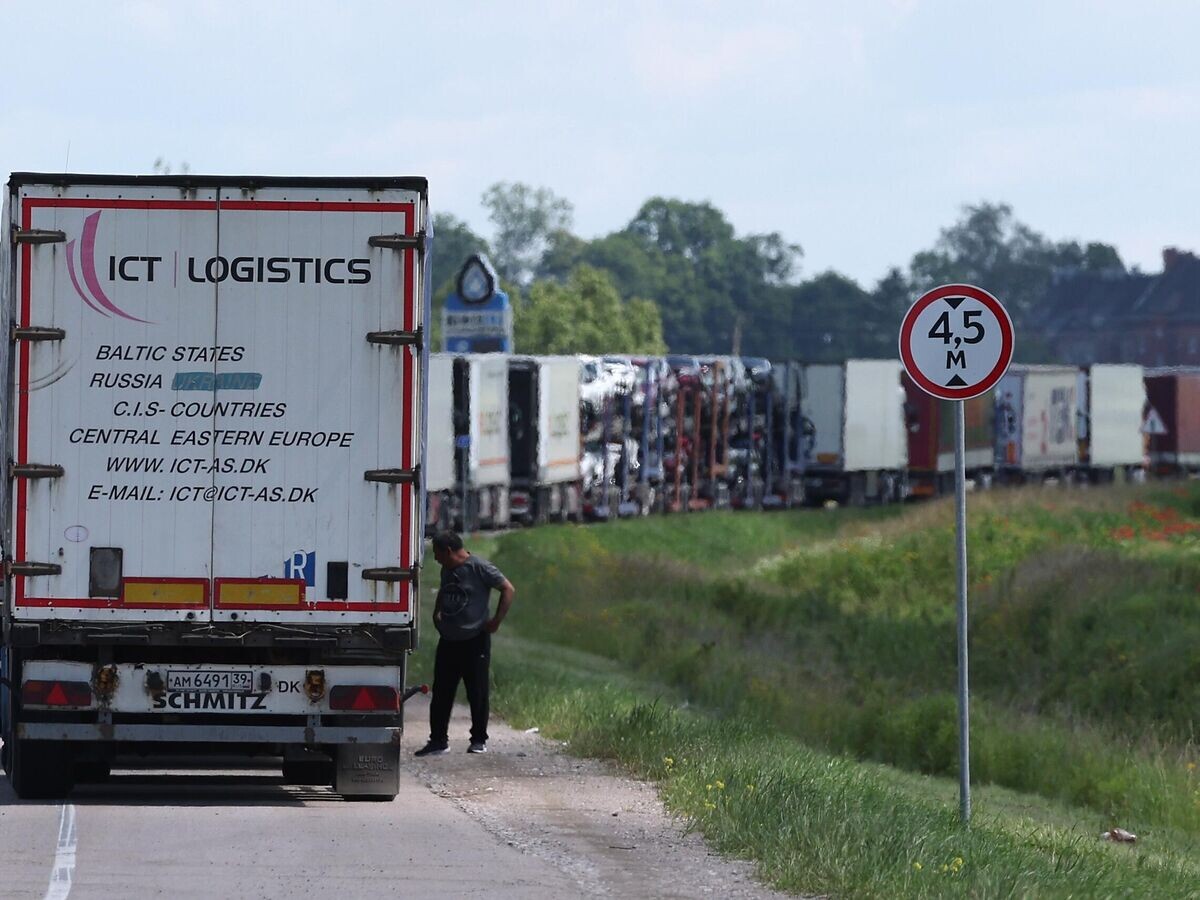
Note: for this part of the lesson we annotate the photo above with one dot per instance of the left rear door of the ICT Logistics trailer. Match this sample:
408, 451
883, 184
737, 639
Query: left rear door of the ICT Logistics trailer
103, 305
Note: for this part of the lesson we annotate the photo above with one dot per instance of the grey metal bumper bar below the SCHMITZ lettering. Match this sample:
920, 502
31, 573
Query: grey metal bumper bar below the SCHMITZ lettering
211, 734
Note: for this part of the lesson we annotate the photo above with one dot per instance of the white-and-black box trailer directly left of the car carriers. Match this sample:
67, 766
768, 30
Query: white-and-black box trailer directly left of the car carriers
544, 437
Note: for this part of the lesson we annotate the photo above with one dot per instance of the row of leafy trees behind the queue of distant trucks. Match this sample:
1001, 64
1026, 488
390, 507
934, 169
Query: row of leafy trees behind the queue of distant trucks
707, 290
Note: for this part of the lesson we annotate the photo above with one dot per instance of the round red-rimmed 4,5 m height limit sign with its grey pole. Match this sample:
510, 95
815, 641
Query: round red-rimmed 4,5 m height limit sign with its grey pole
957, 343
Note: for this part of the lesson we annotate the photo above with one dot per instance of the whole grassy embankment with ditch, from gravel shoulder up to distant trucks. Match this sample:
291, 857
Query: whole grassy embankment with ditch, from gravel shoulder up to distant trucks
820, 641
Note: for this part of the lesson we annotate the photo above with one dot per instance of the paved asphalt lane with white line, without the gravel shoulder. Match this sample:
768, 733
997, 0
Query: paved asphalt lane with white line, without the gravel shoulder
243, 833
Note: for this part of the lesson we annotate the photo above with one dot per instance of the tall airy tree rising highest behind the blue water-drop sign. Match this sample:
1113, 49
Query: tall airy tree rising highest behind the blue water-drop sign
526, 220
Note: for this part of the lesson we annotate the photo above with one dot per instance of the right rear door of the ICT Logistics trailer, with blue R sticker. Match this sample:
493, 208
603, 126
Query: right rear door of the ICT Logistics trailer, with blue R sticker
317, 411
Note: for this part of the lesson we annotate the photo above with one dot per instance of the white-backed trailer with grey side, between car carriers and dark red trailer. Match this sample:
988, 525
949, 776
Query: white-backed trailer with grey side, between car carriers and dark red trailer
860, 447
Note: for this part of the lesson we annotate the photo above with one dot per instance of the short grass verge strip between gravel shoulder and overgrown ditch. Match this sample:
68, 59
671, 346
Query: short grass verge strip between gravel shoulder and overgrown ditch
818, 823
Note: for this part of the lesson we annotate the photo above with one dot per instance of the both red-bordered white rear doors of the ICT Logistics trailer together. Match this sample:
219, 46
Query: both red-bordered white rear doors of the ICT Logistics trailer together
217, 409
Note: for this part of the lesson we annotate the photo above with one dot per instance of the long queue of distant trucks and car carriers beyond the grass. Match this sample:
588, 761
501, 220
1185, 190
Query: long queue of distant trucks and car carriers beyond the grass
529, 440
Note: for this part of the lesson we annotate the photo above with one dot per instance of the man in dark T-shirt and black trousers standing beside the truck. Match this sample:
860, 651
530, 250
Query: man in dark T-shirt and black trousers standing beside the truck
463, 619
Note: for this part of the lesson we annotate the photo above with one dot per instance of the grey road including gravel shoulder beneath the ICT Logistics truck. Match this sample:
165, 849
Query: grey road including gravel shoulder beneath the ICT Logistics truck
525, 821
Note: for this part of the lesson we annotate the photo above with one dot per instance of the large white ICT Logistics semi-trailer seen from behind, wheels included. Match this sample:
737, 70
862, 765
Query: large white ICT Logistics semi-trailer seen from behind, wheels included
212, 515
